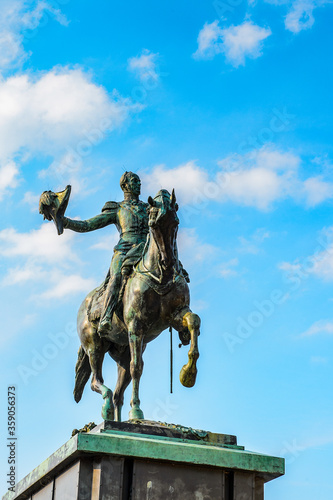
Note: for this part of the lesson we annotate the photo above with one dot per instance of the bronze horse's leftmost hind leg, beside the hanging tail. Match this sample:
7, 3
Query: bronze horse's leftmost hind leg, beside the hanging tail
96, 354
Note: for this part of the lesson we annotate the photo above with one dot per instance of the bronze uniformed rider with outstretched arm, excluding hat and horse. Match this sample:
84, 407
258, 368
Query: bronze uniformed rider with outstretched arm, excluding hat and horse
131, 219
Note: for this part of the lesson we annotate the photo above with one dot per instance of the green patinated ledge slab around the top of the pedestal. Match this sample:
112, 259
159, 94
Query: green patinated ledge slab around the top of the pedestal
150, 447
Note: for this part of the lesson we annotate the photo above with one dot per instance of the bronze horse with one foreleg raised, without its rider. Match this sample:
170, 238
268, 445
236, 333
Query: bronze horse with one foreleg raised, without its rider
155, 297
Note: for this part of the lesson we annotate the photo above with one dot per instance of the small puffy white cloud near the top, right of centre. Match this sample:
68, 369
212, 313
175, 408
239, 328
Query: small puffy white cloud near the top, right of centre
236, 42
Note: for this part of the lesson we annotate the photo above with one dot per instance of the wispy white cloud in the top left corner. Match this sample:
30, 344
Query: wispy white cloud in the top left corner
19, 18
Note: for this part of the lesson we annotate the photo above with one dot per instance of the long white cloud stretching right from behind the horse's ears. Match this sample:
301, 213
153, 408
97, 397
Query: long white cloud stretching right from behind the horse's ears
254, 179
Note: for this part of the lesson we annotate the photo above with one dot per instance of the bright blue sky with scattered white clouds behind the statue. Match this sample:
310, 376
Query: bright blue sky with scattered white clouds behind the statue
230, 104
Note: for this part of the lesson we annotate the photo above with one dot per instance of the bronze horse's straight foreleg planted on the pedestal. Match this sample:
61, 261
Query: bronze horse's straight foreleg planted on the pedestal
136, 367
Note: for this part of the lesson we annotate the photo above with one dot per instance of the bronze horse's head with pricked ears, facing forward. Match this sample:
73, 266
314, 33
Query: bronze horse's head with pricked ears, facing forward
163, 222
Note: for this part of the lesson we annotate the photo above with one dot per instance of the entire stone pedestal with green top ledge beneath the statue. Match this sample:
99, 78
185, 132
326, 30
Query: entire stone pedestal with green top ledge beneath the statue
149, 461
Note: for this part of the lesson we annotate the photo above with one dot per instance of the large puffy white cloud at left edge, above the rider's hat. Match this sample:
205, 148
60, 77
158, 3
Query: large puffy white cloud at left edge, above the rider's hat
60, 113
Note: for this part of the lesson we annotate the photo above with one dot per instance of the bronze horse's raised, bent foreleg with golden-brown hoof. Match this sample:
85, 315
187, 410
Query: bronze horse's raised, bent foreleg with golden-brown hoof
188, 373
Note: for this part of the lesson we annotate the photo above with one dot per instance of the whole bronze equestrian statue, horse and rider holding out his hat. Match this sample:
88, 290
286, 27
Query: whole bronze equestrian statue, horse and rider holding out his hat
145, 292
